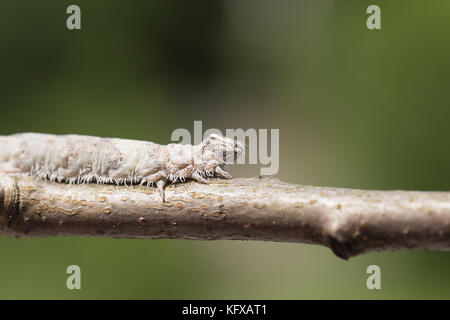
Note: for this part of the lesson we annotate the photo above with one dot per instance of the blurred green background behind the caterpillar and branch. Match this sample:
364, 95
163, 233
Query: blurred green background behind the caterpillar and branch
355, 108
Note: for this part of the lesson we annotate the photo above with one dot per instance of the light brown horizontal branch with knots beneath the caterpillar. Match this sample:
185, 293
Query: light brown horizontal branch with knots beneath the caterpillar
348, 221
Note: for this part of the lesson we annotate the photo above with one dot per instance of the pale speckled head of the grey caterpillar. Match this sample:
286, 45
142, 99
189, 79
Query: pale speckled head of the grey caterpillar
222, 149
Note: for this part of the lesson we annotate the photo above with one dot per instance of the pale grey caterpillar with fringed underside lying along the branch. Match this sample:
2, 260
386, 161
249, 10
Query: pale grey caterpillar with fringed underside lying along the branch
77, 159
